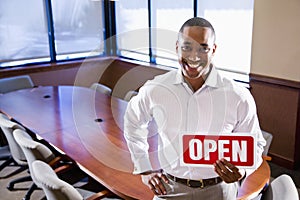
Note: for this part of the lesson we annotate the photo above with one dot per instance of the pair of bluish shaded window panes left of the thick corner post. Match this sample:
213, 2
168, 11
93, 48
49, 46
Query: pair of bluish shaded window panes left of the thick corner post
78, 30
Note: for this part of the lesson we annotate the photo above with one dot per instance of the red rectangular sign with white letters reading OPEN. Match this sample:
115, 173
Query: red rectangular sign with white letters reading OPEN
239, 149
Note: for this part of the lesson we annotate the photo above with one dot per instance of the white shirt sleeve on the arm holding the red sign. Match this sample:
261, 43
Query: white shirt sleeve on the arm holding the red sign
248, 122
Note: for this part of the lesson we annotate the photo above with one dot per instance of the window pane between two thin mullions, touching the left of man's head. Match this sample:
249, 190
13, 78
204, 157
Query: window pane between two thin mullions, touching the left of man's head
167, 16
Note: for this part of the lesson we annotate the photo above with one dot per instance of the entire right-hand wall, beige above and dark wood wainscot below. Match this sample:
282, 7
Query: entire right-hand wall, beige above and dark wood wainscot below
275, 76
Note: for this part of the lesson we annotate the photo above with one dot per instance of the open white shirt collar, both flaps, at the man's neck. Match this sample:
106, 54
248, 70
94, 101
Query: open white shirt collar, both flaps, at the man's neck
211, 80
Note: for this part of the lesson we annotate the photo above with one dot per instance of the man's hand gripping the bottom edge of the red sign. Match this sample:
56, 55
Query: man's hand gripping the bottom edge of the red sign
227, 171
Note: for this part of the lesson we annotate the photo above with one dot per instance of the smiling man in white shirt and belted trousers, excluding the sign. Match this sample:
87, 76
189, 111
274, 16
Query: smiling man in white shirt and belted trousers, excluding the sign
194, 99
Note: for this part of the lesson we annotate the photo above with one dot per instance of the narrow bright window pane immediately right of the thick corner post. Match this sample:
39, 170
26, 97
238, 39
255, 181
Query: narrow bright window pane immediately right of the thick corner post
132, 28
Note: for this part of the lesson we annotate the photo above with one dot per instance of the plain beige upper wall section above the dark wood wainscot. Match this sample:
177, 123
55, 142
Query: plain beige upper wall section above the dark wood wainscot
275, 47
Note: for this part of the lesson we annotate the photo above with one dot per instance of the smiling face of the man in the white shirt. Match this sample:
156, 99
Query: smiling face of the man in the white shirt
195, 49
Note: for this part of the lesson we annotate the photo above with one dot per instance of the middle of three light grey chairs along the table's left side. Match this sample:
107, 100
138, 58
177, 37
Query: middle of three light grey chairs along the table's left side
33, 150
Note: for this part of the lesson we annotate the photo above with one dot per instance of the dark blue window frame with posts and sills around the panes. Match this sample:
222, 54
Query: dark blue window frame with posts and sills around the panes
110, 45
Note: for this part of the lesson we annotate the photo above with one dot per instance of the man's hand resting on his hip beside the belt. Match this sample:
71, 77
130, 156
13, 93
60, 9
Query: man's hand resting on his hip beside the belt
154, 180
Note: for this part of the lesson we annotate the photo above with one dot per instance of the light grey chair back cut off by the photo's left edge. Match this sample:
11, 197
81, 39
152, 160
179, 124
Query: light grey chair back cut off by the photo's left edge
8, 127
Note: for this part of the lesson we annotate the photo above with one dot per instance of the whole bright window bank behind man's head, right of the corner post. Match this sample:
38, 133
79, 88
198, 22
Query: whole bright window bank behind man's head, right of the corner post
231, 19
